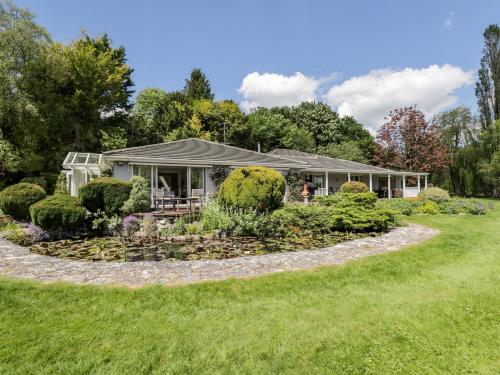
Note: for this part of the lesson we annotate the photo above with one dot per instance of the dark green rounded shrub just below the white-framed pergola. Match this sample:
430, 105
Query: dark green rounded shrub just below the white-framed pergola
105, 193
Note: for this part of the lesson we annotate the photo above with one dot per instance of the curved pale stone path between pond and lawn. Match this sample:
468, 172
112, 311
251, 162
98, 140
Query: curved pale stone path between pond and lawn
17, 261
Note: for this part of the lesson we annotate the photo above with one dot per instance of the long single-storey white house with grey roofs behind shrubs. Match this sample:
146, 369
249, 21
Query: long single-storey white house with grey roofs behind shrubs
192, 164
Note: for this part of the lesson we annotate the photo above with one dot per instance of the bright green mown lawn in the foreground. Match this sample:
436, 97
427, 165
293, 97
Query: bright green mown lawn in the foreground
433, 308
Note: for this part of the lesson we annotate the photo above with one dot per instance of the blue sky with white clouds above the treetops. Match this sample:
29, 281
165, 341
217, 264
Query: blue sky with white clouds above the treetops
363, 58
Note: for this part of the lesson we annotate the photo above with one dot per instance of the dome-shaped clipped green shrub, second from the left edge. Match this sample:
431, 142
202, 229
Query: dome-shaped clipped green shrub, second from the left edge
58, 211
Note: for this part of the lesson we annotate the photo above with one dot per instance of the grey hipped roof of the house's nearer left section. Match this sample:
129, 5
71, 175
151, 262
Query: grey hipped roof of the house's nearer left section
194, 151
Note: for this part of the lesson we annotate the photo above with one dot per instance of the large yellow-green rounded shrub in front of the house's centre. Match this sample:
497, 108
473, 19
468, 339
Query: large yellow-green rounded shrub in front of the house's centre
256, 188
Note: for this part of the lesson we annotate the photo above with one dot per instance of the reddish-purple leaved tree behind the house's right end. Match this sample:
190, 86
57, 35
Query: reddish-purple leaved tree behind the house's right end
408, 142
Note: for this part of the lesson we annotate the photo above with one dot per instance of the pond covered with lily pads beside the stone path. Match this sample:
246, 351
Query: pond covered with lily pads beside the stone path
184, 248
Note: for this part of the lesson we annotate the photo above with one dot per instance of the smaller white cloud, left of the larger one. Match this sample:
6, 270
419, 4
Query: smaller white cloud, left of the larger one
272, 89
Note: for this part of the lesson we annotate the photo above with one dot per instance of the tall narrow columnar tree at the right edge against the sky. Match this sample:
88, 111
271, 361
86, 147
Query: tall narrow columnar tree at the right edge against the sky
488, 85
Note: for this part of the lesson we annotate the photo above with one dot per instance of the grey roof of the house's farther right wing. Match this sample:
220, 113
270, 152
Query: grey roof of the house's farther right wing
323, 163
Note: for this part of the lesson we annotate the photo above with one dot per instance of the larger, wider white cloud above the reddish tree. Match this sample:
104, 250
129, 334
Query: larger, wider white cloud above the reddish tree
369, 98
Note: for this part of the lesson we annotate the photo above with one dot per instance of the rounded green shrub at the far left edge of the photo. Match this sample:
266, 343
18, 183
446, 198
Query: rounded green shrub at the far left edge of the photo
16, 200
